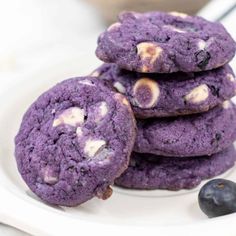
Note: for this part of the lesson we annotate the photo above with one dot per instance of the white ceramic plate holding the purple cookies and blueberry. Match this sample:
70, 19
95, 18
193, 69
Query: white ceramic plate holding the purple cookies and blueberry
134, 212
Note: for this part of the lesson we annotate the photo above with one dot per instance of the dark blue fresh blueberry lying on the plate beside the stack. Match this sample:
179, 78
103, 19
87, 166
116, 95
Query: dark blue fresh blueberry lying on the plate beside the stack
218, 197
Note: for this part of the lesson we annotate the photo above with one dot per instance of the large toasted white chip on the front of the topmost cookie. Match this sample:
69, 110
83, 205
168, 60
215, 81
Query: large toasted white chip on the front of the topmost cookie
148, 50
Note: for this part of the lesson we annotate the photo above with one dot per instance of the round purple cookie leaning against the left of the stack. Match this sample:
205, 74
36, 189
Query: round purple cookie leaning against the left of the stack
74, 140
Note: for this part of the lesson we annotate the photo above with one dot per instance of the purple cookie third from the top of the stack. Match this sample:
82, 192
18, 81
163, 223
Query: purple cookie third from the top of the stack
193, 135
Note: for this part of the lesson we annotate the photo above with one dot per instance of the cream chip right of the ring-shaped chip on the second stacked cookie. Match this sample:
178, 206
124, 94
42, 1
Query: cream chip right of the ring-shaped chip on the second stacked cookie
198, 94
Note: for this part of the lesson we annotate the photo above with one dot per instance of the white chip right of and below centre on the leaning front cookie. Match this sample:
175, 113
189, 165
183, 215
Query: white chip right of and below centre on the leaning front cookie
93, 147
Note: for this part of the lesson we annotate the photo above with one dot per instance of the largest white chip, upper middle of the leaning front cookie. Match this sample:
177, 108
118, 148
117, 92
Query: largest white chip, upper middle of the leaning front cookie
73, 116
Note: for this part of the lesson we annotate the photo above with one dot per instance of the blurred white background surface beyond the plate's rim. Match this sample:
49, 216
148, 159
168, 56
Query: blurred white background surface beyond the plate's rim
36, 33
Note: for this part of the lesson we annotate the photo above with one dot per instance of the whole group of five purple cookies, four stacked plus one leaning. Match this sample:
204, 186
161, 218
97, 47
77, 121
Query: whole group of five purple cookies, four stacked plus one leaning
79, 137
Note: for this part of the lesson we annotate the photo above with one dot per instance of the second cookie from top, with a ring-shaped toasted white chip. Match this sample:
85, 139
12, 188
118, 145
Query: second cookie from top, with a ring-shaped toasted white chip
162, 95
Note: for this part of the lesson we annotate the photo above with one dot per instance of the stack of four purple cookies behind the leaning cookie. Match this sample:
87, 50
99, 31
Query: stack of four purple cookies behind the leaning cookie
173, 70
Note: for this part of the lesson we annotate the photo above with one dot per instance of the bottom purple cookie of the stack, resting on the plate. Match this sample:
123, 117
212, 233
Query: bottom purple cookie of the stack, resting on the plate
147, 171
